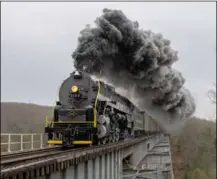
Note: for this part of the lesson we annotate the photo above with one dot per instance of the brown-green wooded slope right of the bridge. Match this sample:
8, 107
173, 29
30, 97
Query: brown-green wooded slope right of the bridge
194, 150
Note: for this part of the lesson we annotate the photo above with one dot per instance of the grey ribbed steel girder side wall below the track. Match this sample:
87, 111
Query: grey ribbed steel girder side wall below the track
102, 167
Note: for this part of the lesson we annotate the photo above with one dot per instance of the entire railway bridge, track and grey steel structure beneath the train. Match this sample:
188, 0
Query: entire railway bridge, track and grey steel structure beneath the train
150, 157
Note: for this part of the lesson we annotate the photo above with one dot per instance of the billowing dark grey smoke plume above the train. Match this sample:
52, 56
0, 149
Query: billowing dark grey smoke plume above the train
137, 60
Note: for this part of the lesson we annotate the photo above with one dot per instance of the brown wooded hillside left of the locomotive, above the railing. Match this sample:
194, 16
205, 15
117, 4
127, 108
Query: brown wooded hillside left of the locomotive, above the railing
23, 118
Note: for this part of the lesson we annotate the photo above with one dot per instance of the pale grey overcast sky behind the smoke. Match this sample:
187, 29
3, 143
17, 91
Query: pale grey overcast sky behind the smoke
38, 38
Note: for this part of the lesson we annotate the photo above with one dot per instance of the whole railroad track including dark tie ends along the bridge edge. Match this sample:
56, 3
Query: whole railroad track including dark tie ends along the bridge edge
45, 160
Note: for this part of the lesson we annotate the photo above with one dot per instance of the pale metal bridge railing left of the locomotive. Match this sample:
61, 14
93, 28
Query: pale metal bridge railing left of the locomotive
12, 142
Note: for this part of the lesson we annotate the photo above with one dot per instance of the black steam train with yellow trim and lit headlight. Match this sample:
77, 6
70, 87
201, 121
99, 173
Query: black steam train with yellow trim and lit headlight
91, 112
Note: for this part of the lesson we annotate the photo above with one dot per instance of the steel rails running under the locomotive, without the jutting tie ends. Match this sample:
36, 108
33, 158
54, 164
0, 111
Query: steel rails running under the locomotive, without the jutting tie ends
18, 160
